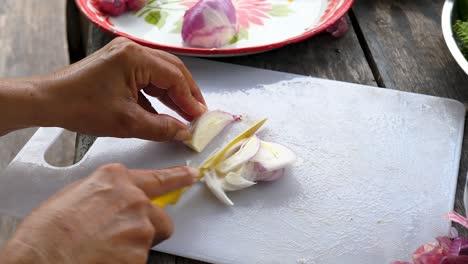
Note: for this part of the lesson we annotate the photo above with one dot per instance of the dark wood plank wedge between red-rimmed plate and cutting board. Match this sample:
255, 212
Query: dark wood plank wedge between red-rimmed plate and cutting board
322, 56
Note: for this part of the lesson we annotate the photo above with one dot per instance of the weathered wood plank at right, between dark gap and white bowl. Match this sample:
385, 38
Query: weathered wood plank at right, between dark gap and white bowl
405, 40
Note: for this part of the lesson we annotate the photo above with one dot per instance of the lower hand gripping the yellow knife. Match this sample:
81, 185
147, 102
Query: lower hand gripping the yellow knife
104, 218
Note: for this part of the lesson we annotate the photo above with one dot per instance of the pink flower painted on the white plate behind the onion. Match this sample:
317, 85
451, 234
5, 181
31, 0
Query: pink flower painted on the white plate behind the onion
248, 11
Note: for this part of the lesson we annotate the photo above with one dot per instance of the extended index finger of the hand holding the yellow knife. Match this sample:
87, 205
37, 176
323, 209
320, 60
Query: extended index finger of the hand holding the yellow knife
158, 182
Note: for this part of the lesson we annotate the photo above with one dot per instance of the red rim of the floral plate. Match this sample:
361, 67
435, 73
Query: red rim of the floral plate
338, 14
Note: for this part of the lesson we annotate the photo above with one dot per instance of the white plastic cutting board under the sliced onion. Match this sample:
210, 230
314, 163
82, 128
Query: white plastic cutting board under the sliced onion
377, 171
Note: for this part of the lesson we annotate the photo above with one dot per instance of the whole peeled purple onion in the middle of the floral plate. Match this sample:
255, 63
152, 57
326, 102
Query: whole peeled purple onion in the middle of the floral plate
210, 24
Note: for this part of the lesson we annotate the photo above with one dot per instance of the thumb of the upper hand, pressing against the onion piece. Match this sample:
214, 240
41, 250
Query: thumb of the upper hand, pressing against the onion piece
159, 127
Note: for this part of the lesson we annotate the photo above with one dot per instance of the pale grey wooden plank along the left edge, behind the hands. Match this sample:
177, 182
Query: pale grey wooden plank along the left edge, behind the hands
32, 41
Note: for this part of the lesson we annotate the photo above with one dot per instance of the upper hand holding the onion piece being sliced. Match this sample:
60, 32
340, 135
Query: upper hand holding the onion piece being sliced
101, 95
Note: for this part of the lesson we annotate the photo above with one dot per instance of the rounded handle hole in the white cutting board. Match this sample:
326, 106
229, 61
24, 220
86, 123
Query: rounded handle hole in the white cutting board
61, 152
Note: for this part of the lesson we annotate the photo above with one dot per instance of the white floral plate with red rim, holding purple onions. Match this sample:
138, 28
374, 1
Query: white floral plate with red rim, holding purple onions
263, 24
